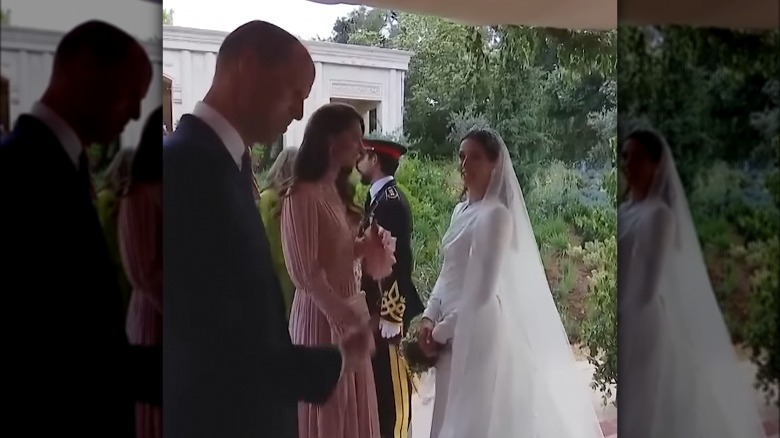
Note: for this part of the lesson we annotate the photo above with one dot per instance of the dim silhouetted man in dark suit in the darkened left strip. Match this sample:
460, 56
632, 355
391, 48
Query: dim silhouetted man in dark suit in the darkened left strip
69, 367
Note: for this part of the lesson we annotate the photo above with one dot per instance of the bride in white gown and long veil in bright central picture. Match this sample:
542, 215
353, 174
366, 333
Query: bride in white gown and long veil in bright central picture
505, 369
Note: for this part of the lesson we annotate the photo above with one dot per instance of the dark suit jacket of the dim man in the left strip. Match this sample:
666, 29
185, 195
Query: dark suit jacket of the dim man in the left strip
69, 368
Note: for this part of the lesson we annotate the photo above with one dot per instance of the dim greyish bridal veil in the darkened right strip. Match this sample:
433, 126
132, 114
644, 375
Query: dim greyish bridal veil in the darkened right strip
702, 391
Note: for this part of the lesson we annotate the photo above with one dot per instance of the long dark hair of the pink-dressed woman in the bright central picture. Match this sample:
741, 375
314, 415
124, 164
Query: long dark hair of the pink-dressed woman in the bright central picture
313, 160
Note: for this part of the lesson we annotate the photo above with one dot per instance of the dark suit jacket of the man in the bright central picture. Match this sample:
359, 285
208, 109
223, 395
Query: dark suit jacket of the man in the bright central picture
230, 369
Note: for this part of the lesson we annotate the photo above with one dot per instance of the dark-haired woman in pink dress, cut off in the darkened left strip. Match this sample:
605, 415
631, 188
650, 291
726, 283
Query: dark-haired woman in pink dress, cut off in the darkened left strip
140, 239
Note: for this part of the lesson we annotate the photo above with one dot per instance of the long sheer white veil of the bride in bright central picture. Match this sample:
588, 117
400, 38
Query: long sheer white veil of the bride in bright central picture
516, 376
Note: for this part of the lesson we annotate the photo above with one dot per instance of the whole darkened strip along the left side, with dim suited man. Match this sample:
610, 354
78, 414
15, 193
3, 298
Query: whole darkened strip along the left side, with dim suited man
80, 214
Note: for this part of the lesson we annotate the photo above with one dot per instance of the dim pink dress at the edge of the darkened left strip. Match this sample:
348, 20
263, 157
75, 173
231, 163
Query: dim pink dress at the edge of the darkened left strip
140, 237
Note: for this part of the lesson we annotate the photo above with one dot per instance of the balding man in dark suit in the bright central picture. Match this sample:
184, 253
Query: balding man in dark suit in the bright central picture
230, 369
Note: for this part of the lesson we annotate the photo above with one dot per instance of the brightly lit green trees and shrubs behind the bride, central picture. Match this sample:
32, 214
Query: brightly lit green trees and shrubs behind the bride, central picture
552, 95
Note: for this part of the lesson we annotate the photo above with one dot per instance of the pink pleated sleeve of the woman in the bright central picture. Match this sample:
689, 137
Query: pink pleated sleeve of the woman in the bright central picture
300, 241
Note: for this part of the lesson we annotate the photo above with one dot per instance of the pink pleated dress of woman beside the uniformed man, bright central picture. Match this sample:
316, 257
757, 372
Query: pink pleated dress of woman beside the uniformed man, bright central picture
318, 244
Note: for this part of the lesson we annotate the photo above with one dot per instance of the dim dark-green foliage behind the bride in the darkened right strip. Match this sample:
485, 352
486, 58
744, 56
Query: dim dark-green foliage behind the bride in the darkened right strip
714, 95
